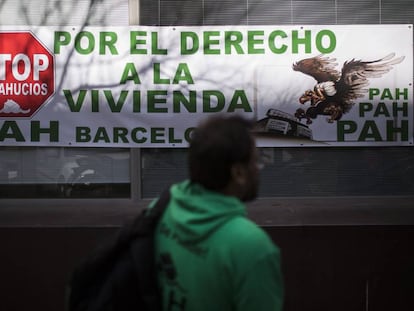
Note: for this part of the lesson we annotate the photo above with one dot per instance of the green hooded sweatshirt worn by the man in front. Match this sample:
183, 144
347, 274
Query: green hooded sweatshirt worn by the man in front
212, 258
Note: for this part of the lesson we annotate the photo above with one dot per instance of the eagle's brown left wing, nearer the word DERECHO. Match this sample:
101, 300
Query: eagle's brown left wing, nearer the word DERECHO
319, 67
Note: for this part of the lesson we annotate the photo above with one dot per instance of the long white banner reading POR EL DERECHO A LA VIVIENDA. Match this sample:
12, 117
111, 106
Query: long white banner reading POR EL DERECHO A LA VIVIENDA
348, 85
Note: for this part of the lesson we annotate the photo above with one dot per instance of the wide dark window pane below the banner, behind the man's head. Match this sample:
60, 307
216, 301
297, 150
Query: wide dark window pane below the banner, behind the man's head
303, 171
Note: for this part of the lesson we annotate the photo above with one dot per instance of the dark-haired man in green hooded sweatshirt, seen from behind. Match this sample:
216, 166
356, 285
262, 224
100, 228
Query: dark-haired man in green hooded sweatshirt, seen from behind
209, 255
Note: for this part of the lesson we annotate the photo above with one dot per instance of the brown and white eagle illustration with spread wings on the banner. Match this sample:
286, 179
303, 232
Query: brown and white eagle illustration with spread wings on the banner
335, 92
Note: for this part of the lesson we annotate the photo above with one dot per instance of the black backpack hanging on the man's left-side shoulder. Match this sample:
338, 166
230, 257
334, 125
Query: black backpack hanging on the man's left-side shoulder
121, 274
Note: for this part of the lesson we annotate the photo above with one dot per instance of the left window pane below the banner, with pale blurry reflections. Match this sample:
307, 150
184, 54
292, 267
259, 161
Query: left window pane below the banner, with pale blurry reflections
64, 172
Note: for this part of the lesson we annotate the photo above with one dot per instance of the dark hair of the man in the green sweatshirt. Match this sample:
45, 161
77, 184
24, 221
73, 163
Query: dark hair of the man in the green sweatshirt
215, 146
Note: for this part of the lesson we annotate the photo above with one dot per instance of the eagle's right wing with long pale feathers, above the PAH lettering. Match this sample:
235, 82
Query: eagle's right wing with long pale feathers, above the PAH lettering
355, 75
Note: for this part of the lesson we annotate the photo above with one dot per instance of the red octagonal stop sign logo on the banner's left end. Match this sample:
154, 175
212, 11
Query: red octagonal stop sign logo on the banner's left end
27, 78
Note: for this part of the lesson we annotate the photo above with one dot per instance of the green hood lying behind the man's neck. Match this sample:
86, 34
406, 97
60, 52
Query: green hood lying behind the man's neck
195, 212
